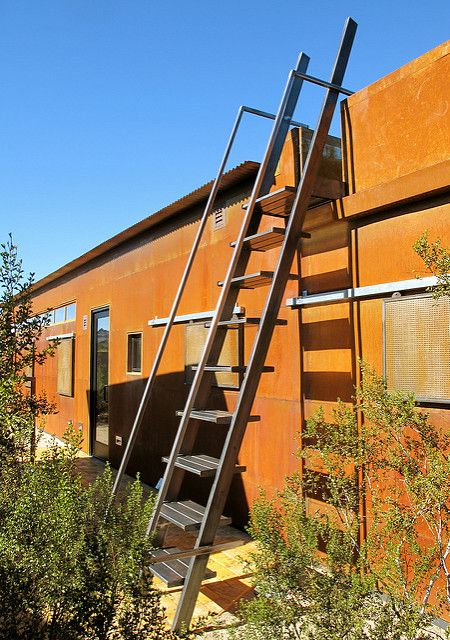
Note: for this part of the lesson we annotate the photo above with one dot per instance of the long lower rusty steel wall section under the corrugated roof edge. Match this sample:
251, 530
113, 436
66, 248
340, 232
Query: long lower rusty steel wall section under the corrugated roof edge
137, 281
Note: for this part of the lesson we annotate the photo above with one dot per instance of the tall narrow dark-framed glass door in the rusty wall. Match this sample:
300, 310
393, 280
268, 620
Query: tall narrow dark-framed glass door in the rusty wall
100, 383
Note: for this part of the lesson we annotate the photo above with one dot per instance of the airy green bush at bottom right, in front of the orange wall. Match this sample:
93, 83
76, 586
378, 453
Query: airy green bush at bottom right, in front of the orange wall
357, 545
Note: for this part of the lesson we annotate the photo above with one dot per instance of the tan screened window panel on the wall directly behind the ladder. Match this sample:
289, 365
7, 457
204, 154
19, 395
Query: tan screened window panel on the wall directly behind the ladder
231, 354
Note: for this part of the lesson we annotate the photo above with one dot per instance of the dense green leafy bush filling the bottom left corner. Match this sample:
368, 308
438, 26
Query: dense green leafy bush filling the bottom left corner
69, 568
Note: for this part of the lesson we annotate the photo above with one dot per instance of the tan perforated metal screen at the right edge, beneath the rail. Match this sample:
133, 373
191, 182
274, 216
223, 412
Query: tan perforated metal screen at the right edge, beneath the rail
417, 346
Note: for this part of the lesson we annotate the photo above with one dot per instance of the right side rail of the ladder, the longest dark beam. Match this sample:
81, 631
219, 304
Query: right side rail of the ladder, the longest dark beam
224, 474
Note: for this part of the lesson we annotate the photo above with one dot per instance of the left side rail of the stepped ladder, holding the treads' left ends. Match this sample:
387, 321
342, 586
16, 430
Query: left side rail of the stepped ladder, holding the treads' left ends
262, 184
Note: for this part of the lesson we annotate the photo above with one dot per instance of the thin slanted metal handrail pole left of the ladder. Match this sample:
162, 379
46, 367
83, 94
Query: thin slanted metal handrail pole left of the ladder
170, 320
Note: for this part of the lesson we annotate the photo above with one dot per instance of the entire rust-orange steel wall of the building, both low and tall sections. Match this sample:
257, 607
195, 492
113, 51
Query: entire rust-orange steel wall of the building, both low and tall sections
397, 166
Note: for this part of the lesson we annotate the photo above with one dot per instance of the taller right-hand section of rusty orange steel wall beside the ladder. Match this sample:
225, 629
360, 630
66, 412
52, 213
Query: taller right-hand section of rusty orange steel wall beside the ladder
396, 157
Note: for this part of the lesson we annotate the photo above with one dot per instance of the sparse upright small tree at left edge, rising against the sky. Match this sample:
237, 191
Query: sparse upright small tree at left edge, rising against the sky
19, 333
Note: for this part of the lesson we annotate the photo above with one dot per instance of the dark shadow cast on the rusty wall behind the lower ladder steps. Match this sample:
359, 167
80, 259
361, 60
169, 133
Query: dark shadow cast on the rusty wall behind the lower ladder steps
158, 432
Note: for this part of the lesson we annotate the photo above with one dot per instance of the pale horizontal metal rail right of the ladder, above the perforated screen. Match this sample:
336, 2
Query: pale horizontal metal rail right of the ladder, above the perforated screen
361, 293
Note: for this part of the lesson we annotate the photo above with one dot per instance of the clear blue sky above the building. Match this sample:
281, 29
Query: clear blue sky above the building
111, 109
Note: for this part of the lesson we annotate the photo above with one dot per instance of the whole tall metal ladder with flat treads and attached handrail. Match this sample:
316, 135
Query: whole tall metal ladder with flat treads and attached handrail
183, 458
